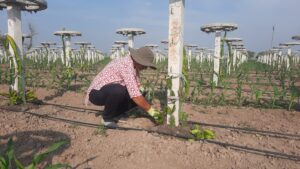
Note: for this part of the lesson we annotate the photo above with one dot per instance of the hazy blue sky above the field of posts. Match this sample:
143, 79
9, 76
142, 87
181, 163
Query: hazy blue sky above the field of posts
98, 21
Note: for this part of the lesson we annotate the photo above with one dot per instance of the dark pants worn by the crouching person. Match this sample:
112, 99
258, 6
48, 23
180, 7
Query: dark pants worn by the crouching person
114, 98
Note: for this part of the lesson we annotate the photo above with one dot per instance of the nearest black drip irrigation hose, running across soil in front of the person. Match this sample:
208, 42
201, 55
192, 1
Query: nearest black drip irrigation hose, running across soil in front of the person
227, 145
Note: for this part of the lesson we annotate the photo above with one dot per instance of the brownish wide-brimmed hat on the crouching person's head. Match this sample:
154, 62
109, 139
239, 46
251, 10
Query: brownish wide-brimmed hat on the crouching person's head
143, 56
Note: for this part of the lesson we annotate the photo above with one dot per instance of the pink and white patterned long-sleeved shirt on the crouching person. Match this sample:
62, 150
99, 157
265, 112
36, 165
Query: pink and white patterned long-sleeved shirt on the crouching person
119, 71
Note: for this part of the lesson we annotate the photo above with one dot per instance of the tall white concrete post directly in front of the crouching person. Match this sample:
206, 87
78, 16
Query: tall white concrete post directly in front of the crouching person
175, 52
